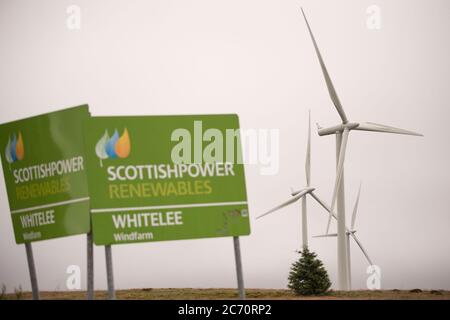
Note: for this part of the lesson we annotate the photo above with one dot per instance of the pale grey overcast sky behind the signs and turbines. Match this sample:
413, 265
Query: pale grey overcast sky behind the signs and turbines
256, 59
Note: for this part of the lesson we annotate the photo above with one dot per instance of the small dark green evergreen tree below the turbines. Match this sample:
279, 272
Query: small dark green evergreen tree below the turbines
308, 276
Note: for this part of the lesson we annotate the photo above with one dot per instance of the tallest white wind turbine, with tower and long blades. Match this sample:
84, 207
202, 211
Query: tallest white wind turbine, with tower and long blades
342, 131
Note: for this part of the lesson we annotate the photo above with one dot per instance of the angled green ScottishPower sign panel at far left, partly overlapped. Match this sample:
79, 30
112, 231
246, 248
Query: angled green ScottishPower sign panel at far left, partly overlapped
45, 174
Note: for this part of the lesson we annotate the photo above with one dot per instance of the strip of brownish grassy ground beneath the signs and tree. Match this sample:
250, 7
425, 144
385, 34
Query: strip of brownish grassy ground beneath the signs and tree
168, 294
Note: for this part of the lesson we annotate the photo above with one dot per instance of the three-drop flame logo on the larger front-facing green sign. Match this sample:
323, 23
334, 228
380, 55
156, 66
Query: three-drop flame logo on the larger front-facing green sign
113, 147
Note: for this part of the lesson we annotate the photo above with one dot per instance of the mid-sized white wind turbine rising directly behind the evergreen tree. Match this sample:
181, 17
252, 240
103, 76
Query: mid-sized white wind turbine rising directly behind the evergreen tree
301, 194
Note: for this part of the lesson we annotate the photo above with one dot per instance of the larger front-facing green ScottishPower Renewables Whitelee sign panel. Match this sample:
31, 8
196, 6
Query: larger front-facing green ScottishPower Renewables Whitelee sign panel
157, 178
